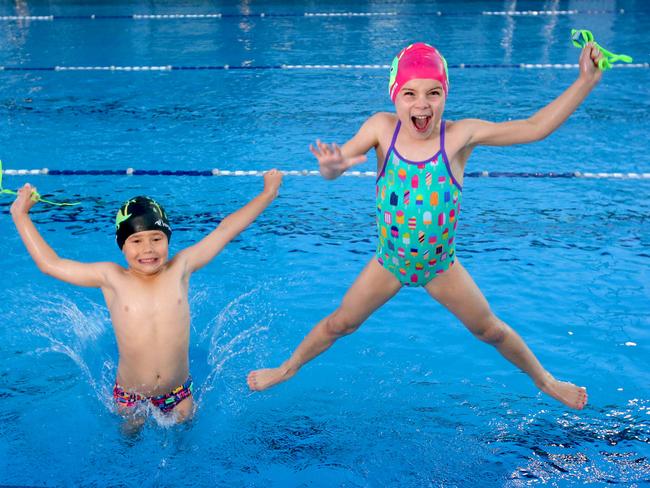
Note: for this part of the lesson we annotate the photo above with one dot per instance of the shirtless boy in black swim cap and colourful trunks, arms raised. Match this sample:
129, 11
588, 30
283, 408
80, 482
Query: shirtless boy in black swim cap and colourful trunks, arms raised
148, 300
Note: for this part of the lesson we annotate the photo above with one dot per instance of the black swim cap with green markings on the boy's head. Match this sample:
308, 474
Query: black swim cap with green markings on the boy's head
139, 214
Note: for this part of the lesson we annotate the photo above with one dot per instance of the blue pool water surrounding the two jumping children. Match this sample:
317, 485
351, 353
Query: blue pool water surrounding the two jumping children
411, 399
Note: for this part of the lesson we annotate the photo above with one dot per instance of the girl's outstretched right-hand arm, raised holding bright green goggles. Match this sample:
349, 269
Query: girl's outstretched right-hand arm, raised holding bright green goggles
546, 120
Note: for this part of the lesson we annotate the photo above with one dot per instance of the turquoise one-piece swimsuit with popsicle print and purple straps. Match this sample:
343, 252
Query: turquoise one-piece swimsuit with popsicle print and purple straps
418, 204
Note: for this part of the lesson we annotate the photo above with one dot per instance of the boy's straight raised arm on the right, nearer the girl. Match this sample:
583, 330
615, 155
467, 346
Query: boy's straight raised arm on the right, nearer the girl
206, 249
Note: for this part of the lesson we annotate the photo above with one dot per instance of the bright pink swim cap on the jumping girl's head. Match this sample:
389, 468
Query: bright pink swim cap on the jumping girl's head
418, 60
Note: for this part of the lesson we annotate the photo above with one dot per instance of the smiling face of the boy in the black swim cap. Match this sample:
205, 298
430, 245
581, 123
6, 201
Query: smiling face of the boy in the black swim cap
146, 252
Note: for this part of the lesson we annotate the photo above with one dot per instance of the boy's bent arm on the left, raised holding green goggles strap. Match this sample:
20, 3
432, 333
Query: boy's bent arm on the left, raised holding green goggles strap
74, 272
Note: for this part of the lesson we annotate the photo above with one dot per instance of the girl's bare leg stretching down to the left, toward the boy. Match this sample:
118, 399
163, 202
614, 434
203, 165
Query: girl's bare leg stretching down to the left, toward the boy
372, 288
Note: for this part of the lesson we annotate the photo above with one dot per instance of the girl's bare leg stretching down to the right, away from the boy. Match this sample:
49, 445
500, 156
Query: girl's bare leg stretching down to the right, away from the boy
456, 290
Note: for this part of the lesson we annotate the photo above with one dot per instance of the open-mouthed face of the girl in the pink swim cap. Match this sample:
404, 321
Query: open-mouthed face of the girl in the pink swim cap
419, 105
